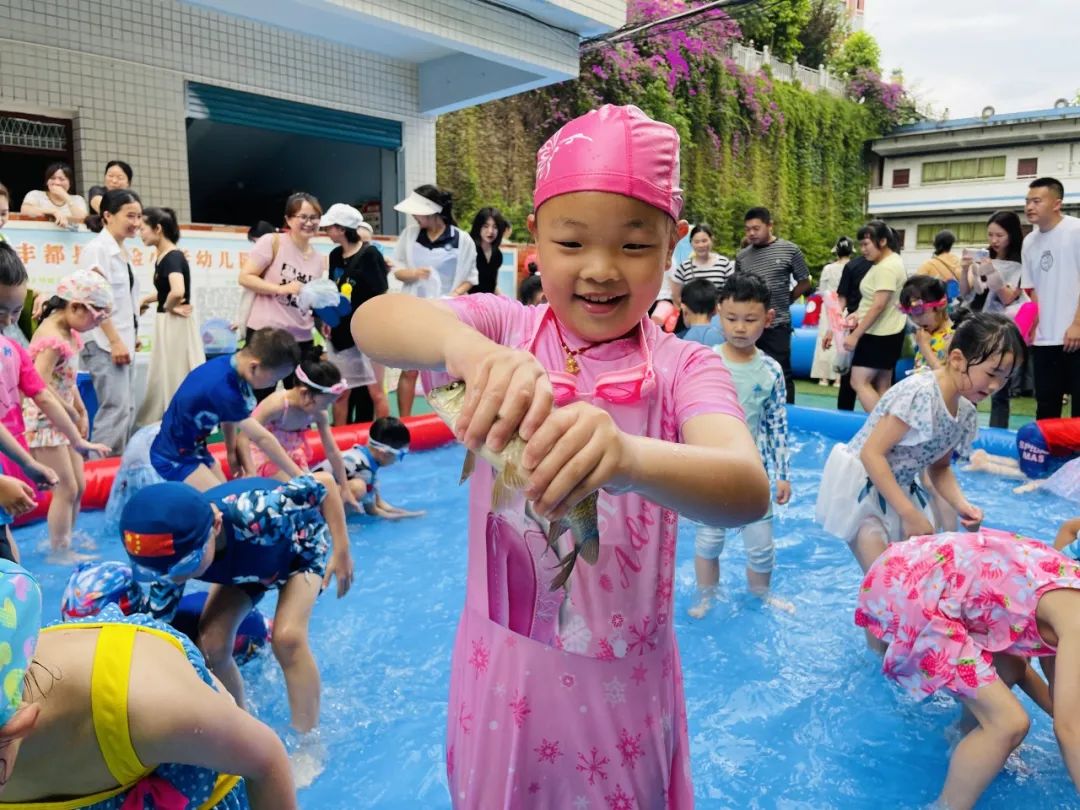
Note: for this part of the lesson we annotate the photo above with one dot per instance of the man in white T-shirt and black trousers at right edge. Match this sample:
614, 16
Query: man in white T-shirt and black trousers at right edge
1051, 259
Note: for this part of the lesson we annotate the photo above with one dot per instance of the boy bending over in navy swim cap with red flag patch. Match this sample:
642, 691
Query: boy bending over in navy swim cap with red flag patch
246, 537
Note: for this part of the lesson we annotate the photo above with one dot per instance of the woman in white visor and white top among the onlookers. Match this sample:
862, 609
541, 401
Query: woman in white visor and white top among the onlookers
434, 260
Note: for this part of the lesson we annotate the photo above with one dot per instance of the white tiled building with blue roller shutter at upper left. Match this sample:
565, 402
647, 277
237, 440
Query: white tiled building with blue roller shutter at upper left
152, 82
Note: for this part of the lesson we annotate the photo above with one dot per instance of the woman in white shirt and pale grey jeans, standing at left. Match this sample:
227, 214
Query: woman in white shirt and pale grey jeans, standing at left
110, 350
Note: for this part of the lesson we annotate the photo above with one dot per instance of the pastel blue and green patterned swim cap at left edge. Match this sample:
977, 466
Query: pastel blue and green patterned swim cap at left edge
20, 624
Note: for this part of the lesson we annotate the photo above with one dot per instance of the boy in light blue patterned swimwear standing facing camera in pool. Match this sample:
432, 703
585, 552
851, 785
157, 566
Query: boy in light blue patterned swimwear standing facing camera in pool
760, 382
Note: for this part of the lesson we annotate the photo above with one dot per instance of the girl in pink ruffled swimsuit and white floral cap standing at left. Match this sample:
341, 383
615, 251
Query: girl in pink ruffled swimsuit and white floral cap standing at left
83, 301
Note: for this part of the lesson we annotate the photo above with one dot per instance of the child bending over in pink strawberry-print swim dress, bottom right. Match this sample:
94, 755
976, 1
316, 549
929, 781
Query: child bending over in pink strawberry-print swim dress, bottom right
957, 611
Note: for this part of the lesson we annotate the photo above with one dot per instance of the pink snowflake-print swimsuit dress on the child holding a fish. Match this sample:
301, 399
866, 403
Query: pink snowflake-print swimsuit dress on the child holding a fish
576, 703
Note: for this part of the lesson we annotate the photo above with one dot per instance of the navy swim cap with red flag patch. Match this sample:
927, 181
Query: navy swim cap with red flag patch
165, 529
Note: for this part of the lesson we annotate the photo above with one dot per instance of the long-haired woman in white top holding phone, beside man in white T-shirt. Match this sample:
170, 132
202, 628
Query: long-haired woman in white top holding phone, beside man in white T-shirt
998, 278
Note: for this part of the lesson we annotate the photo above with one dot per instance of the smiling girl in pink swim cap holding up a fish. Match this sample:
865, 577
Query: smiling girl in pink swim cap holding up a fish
574, 698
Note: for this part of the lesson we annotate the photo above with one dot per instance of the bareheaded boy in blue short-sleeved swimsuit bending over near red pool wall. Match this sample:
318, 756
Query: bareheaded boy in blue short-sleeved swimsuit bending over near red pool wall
221, 393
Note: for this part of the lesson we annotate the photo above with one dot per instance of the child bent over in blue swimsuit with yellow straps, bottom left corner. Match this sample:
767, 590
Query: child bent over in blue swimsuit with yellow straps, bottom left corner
136, 721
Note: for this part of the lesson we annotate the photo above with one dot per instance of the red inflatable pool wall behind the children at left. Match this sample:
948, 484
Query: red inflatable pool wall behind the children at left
427, 433
